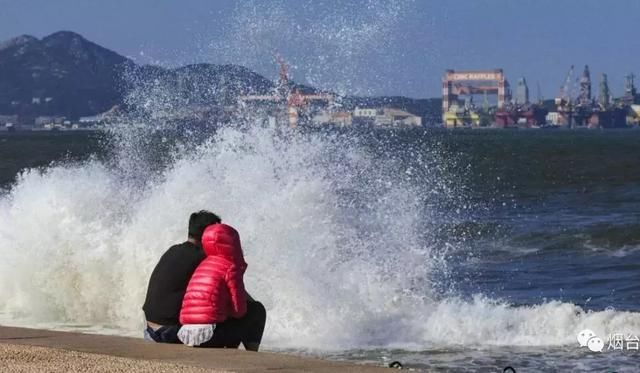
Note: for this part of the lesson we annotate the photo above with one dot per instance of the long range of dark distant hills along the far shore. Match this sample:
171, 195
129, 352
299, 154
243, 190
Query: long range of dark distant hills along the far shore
64, 74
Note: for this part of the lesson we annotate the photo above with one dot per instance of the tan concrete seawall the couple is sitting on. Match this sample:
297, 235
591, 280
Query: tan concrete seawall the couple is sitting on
35, 350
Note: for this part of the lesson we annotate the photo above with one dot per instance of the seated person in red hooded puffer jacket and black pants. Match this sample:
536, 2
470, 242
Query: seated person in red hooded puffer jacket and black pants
216, 309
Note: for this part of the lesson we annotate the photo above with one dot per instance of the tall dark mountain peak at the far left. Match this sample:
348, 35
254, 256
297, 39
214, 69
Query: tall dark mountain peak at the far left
61, 74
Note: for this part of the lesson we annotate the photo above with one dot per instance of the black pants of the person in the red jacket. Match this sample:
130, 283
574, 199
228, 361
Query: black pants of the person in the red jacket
246, 330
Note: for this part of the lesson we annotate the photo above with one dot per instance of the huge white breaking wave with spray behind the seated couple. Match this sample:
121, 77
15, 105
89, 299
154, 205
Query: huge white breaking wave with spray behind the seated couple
334, 236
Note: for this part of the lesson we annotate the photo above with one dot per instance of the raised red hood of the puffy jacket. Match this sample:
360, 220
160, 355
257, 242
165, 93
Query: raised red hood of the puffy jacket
223, 240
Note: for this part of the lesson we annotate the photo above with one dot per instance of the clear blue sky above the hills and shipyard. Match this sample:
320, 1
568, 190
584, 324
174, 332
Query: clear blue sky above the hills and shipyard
369, 47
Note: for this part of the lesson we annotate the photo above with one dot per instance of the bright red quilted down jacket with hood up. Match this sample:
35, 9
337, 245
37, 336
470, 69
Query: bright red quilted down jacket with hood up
216, 289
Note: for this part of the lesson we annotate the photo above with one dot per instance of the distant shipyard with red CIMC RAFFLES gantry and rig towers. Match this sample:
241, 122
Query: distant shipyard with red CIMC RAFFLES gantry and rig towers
581, 109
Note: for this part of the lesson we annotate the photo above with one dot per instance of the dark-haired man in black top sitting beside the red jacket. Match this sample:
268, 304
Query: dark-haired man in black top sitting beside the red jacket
169, 280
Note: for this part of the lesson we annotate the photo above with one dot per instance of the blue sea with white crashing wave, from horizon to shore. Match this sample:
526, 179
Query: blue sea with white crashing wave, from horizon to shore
461, 250
